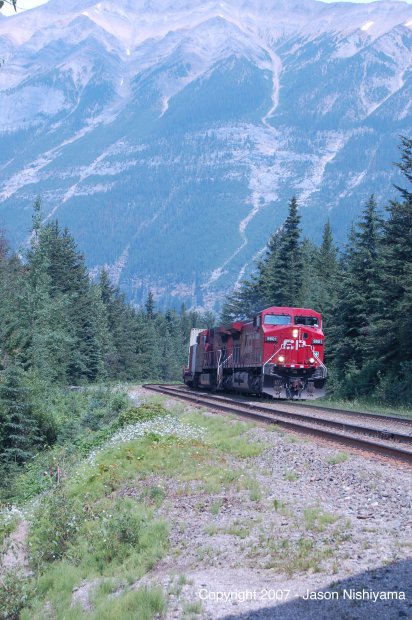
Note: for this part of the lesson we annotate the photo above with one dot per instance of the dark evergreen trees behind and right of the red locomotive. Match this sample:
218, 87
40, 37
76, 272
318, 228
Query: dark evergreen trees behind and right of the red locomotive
364, 294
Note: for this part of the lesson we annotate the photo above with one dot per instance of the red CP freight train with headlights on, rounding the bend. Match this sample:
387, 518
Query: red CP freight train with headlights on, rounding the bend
279, 353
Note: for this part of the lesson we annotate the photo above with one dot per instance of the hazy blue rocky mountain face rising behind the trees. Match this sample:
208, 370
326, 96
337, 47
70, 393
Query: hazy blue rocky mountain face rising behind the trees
169, 136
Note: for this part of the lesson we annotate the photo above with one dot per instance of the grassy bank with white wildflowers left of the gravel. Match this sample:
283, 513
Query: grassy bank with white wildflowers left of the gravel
91, 537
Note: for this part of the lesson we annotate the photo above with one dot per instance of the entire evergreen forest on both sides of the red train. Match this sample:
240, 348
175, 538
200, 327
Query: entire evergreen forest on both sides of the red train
59, 329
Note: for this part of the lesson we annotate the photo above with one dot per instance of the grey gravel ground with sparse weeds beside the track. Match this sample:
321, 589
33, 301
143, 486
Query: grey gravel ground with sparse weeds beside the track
246, 559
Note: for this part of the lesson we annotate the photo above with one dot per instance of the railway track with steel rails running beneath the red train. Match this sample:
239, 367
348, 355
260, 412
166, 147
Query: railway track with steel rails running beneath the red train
387, 436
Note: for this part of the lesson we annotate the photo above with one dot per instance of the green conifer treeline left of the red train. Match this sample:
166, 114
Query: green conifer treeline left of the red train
58, 328
